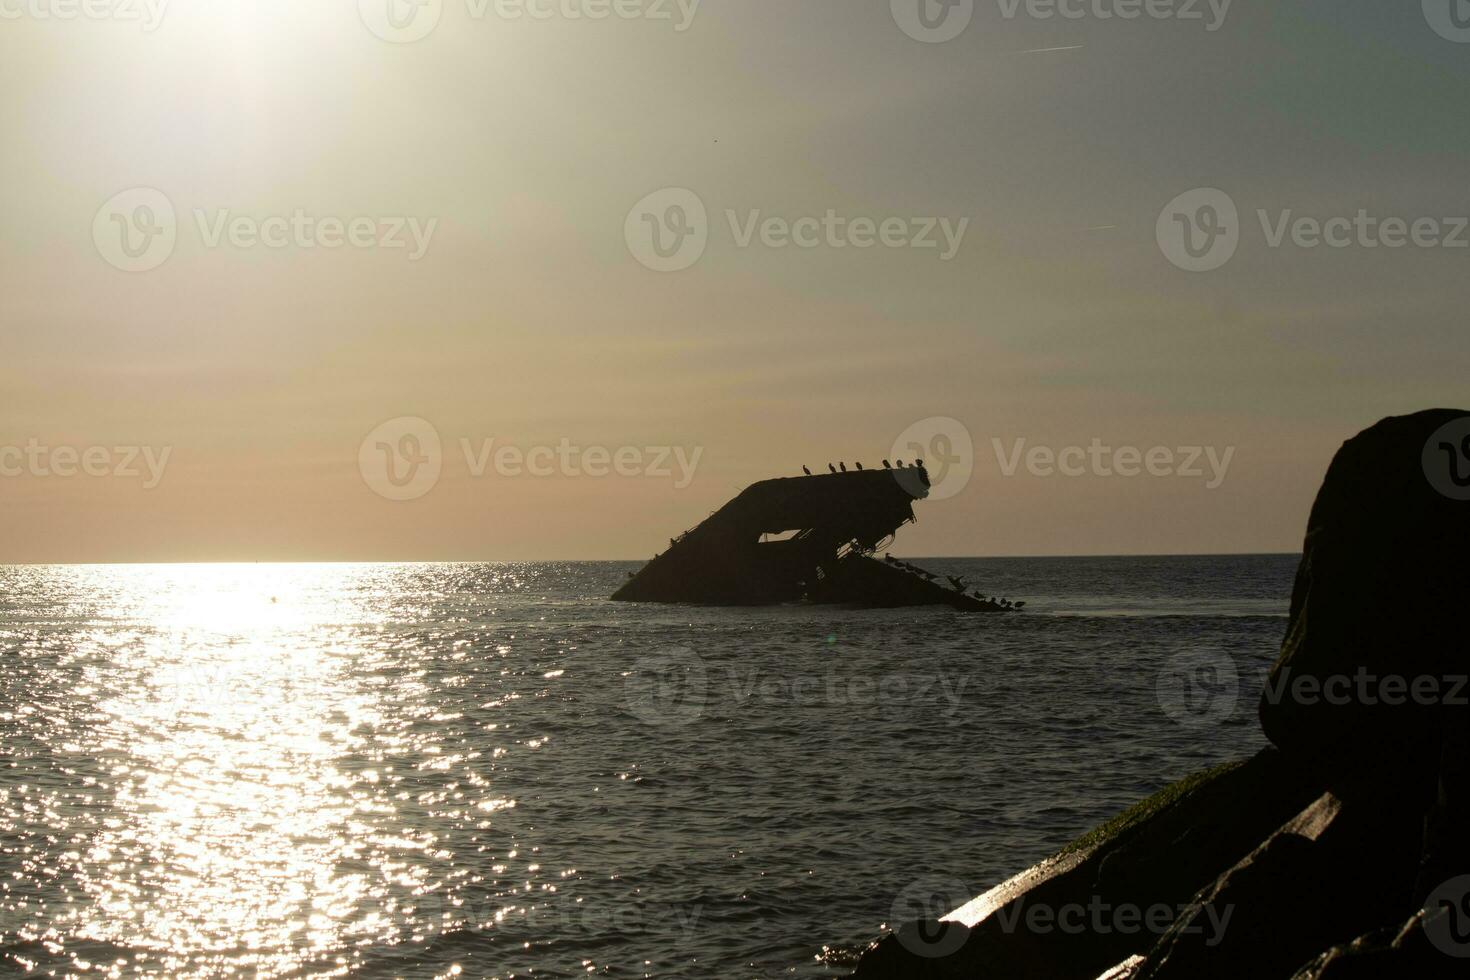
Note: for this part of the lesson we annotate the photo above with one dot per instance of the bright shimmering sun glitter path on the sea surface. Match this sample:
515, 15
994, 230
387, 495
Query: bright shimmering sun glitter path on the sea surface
258, 821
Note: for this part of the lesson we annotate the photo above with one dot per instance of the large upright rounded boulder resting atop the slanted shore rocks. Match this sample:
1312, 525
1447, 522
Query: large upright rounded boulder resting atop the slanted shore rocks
1384, 568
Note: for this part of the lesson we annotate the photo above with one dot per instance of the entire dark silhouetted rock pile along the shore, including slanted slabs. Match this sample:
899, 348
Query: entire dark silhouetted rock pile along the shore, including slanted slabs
1334, 856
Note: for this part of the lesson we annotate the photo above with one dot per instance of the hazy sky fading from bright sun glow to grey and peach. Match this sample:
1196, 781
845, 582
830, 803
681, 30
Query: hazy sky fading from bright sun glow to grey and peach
520, 151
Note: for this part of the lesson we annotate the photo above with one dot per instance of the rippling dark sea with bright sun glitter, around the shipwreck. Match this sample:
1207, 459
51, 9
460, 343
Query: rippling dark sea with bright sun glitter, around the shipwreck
489, 771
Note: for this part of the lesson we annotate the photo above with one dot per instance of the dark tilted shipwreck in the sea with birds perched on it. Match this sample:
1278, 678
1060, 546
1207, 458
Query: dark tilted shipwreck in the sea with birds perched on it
805, 538
